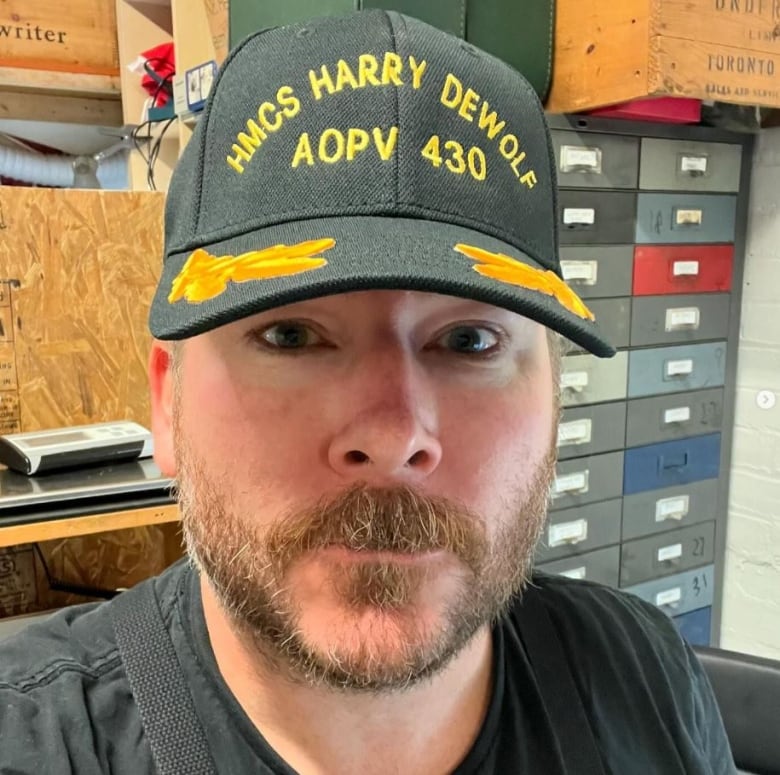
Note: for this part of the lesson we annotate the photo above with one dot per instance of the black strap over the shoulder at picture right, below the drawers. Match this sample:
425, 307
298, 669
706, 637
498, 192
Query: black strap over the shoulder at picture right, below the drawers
556, 685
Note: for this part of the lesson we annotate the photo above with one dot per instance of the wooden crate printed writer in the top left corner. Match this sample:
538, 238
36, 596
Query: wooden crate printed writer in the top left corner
78, 36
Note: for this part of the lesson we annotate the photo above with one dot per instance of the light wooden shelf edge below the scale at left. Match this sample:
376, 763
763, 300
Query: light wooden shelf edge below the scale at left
70, 527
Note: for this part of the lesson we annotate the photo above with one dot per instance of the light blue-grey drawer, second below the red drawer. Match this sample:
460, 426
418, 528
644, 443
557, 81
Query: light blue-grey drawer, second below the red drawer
675, 369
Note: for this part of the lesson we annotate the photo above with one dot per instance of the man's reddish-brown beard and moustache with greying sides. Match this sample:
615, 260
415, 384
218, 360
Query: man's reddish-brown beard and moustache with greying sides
250, 567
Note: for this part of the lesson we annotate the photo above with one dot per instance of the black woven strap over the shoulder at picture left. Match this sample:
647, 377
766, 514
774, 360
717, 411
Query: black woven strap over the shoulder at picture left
168, 715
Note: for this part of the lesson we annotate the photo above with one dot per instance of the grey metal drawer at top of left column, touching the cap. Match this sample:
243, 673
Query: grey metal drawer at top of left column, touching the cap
595, 161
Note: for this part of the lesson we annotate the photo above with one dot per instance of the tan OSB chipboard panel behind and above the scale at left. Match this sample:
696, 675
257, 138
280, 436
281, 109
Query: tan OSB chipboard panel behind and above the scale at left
79, 269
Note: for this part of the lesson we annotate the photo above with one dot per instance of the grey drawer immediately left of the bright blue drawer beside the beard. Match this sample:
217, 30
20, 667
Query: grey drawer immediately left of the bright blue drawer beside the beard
586, 480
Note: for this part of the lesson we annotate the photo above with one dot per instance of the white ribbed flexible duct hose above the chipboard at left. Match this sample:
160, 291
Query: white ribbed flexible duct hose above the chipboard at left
58, 170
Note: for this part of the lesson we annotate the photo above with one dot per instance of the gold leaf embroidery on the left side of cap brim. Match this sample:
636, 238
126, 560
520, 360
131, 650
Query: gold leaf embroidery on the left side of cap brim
204, 277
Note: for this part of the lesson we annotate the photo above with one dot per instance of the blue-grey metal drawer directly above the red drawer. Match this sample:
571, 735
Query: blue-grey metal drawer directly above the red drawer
683, 217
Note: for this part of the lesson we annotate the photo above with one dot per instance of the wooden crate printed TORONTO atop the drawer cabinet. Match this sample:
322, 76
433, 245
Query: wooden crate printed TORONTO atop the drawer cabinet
612, 52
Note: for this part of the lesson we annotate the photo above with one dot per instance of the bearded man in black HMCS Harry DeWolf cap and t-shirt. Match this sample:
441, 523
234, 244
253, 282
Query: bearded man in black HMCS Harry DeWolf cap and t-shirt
354, 383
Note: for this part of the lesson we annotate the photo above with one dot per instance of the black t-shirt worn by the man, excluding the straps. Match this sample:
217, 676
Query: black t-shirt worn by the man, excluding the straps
66, 704
